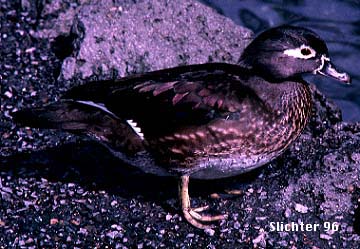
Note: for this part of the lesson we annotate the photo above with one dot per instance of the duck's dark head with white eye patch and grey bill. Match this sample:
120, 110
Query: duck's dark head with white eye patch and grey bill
286, 51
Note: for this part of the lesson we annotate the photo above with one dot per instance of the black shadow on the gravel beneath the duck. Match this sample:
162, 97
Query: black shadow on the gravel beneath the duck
91, 165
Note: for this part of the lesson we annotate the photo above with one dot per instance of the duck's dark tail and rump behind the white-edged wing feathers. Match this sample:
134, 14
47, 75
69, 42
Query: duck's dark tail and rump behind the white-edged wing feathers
83, 117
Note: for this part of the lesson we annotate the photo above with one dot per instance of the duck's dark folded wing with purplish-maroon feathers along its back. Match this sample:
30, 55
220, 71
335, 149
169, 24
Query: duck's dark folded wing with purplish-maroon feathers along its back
164, 101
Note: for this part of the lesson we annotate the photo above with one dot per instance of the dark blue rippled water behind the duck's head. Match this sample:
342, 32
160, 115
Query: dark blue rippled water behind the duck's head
337, 22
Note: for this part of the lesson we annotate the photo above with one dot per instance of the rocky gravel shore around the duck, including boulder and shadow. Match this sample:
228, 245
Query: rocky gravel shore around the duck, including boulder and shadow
58, 190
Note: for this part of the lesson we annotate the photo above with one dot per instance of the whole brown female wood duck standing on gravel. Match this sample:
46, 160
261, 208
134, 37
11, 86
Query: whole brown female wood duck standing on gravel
201, 121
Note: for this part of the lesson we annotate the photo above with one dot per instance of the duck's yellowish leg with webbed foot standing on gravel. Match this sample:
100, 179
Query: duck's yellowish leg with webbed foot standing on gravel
192, 215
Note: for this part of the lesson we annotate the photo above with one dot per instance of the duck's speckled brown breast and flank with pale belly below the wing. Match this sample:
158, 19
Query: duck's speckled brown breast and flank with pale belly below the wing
238, 143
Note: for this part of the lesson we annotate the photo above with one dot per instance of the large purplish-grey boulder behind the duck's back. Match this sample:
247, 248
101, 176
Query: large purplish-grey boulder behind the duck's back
128, 38
